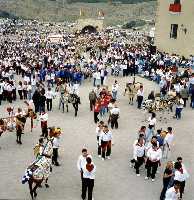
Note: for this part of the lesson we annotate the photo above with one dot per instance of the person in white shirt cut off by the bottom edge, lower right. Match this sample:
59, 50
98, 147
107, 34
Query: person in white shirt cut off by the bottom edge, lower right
173, 192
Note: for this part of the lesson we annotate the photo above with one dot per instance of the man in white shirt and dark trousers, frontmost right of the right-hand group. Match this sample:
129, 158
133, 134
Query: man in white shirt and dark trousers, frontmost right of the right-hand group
154, 156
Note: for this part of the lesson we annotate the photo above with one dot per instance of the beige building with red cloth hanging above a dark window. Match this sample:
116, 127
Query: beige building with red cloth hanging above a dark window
175, 27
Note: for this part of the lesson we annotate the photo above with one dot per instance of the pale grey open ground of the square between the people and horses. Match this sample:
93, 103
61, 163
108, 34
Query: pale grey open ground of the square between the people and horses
115, 180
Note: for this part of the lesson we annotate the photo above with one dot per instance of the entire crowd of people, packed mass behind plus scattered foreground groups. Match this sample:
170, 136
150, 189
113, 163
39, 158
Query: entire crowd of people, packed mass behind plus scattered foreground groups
40, 72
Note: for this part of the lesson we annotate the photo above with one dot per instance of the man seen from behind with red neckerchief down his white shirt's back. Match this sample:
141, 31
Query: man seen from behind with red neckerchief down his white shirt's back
89, 171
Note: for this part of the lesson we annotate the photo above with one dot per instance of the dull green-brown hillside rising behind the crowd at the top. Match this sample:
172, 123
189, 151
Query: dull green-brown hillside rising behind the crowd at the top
62, 10
